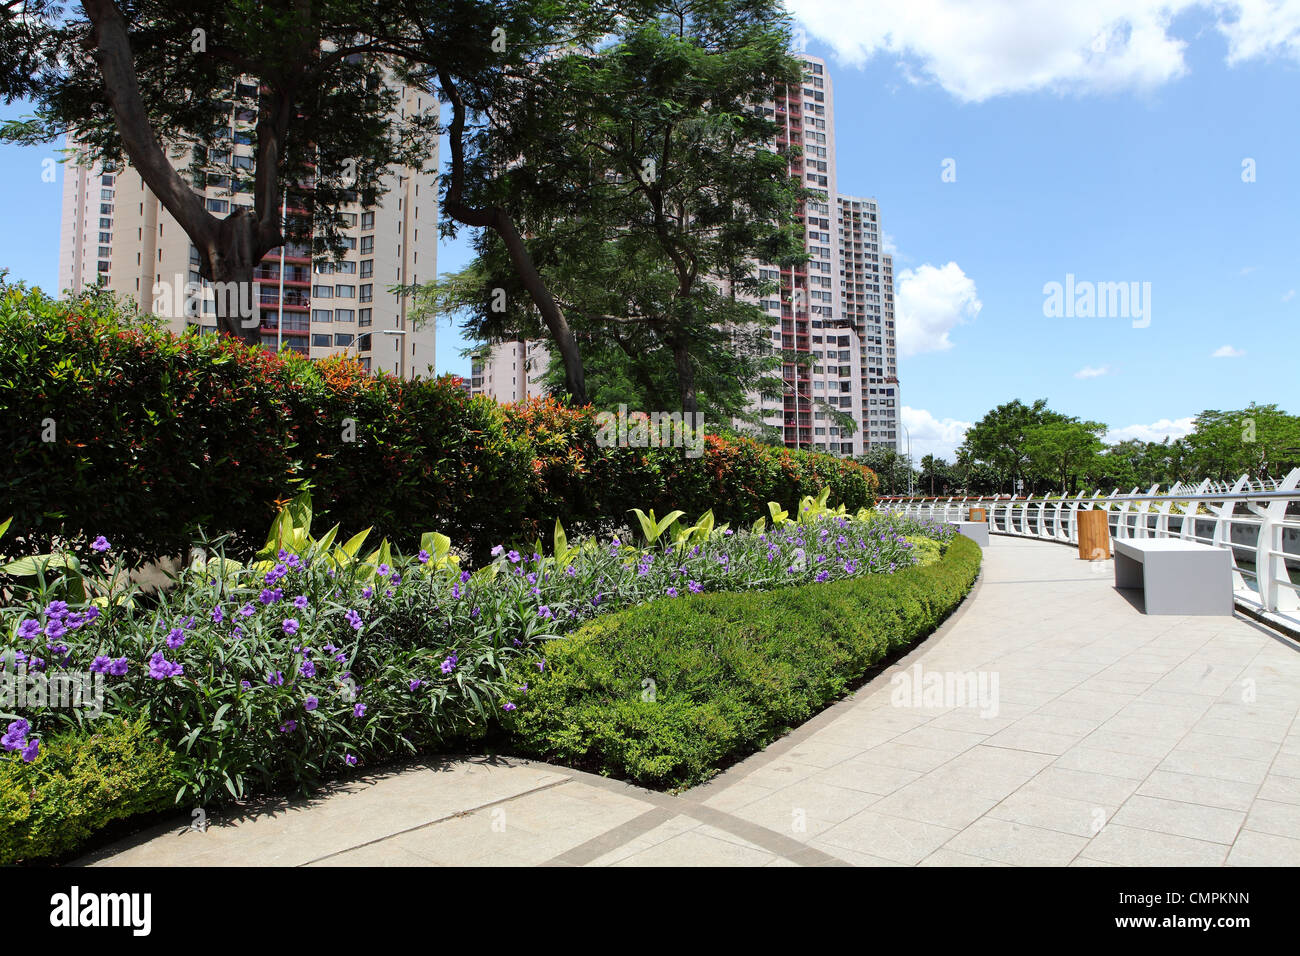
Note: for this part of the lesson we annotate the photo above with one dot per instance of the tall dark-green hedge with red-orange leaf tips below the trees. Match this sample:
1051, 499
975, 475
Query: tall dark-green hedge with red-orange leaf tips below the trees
148, 438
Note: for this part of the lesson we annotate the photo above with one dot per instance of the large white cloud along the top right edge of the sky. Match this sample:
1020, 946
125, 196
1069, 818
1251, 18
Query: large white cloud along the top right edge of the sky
977, 51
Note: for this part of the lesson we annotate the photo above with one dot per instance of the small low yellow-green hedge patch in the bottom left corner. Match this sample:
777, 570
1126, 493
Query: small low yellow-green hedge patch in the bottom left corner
79, 785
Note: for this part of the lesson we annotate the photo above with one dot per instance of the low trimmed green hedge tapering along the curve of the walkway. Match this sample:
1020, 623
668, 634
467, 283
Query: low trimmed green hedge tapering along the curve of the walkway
731, 673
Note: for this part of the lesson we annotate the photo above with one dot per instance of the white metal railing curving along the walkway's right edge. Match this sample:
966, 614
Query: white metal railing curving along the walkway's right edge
1258, 521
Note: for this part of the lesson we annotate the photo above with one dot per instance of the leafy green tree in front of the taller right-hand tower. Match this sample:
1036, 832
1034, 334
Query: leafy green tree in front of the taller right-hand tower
647, 189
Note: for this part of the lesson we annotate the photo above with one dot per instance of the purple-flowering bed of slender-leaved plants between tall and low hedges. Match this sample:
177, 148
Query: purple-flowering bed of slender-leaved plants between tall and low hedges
310, 660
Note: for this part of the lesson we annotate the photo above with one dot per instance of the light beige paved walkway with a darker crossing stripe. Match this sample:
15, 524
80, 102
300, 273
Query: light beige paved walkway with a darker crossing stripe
1119, 739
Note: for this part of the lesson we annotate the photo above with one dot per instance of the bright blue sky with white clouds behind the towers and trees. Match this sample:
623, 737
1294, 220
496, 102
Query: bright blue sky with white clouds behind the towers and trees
1106, 141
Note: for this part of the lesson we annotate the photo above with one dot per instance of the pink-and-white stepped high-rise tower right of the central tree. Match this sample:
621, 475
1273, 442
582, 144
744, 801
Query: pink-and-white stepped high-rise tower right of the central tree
837, 310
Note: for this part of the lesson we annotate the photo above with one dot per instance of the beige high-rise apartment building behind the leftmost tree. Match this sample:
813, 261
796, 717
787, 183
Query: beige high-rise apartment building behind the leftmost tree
116, 232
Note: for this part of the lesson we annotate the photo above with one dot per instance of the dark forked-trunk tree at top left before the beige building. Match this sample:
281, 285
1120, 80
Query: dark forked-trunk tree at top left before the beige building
142, 83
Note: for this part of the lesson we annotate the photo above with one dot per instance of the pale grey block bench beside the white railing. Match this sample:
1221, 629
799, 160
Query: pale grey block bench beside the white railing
1176, 577
